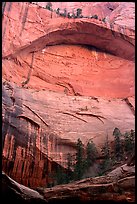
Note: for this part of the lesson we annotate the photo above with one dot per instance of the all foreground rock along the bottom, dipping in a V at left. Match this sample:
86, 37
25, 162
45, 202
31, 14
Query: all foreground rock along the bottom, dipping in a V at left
117, 186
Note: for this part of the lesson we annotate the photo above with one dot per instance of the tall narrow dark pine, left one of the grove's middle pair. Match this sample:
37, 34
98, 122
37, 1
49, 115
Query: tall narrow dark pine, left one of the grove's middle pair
79, 165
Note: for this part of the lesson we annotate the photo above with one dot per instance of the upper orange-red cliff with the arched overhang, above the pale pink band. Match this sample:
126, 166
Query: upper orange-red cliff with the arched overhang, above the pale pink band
80, 70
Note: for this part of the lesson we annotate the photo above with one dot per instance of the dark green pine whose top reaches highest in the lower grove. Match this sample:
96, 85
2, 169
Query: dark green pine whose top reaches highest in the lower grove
118, 148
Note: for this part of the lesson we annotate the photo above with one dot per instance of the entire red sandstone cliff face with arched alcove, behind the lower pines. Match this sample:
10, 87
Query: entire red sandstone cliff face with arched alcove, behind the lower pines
63, 79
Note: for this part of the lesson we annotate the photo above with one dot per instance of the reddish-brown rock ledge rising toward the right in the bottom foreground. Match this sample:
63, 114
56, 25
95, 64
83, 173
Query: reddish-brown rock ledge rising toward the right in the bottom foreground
116, 186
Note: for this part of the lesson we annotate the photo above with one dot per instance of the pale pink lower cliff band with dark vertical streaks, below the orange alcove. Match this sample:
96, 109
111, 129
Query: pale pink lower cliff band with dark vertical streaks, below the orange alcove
41, 127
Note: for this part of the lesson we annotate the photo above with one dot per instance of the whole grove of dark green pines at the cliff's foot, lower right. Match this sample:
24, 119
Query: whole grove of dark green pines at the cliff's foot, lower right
86, 158
